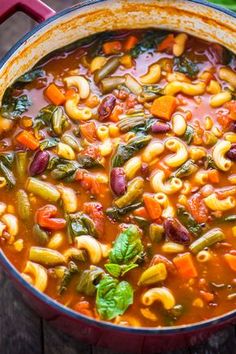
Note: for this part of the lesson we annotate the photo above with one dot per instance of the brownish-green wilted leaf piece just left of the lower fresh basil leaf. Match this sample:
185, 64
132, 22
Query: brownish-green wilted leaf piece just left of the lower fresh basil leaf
88, 280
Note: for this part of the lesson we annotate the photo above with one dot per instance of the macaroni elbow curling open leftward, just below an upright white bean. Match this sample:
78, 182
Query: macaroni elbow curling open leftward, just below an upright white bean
181, 152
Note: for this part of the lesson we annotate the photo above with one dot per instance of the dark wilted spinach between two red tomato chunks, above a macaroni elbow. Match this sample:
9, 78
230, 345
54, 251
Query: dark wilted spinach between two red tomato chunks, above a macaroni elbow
80, 224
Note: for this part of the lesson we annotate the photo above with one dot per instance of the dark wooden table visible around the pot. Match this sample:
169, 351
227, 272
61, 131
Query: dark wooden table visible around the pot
21, 330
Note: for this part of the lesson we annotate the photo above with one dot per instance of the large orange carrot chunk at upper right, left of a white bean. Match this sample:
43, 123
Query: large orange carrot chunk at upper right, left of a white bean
163, 107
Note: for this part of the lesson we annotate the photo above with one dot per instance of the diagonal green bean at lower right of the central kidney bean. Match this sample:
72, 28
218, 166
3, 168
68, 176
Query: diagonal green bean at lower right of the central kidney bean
134, 191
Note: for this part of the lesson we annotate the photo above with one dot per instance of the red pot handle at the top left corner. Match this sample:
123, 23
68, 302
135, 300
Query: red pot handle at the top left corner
36, 9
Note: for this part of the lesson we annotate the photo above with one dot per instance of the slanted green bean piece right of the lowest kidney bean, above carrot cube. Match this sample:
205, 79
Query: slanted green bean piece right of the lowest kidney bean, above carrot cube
206, 240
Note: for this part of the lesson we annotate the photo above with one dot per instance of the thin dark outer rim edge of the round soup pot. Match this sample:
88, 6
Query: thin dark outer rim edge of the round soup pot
15, 274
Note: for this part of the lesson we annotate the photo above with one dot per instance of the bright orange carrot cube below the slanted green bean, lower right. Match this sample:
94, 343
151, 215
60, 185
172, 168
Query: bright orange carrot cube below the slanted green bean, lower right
185, 266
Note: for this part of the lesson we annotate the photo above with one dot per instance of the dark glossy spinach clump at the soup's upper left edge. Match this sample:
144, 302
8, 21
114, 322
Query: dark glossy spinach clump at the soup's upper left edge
13, 107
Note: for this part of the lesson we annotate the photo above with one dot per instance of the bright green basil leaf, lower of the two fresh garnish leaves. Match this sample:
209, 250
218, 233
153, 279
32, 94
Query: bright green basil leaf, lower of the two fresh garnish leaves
113, 298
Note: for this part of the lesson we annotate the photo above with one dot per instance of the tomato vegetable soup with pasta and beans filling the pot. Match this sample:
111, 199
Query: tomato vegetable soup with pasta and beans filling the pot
118, 177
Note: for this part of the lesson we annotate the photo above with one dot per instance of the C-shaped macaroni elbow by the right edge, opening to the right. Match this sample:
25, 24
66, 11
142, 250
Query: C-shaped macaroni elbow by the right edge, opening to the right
218, 155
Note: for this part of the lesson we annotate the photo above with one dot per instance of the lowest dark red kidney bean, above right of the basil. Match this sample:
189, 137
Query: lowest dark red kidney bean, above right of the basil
176, 232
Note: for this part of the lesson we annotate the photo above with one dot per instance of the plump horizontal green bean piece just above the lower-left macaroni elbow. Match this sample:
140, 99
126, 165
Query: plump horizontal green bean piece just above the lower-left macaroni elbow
46, 256
